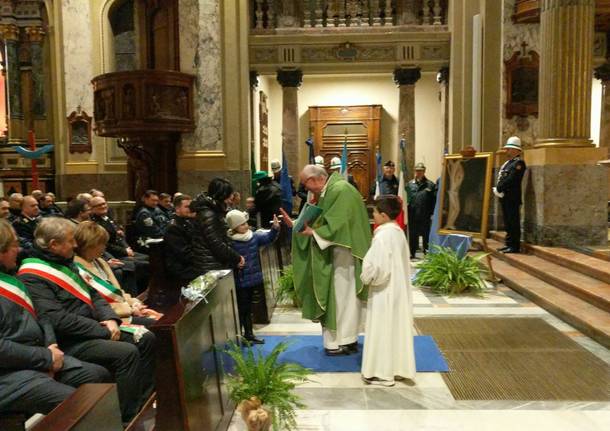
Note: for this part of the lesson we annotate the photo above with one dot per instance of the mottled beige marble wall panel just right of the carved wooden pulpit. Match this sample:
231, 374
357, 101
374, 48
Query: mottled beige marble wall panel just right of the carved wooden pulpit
201, 55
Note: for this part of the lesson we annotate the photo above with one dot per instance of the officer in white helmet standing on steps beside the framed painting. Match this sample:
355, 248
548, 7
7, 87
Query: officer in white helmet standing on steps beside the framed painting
508, 189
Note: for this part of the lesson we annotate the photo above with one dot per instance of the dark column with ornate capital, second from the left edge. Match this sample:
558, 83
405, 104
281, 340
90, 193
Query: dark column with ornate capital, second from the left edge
35, 36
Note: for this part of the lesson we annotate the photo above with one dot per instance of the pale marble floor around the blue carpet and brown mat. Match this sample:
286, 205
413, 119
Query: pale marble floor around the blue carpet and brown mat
341, 401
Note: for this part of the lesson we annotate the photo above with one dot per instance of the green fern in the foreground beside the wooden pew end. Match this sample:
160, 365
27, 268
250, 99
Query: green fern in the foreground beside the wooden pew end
268, 380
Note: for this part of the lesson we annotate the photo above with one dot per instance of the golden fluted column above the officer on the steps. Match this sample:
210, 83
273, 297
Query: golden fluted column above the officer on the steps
566, 62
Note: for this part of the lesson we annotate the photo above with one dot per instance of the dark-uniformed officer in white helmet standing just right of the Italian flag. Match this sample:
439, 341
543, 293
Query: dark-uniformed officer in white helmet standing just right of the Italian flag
421, 198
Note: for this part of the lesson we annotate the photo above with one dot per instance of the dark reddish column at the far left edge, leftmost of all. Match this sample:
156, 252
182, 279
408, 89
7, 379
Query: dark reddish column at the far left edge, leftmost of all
10, 34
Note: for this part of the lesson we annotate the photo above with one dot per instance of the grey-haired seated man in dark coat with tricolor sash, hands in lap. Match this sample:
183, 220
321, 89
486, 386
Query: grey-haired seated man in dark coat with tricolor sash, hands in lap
85, 325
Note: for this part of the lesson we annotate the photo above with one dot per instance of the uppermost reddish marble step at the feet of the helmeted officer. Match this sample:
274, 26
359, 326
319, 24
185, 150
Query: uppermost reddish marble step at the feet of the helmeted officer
572, 259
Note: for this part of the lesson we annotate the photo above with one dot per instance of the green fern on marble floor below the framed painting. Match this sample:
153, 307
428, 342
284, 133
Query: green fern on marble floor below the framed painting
446, 273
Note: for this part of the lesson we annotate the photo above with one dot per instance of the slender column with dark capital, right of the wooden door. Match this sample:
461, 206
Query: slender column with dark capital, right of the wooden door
406, 78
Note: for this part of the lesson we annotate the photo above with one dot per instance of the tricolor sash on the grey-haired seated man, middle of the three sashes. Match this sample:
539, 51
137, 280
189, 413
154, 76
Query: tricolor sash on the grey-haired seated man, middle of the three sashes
58, 274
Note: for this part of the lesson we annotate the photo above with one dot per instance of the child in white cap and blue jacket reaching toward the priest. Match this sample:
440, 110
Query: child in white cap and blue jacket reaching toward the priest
250, 277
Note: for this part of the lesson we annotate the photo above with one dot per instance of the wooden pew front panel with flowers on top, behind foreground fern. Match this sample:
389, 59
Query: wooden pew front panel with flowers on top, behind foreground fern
191, 389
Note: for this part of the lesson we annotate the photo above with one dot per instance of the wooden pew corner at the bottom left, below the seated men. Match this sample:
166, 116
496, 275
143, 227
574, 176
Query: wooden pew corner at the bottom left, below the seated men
91, 407
